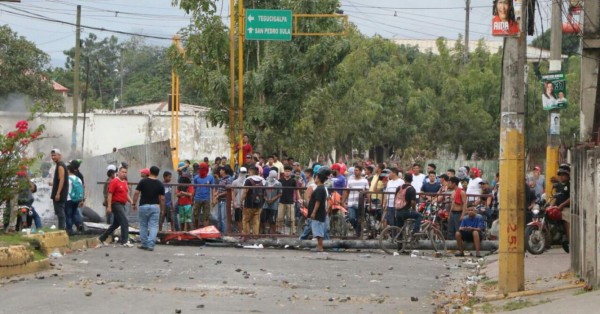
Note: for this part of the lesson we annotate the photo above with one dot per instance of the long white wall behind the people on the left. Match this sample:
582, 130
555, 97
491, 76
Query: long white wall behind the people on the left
107, 129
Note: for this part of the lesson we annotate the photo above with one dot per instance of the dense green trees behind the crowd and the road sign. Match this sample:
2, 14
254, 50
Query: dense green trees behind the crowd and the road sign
313, 94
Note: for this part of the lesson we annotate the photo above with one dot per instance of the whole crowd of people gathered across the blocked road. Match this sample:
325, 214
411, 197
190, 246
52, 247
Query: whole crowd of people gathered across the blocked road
273, 196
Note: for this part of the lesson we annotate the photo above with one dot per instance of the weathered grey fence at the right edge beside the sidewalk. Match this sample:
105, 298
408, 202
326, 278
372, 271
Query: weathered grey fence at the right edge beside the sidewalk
585, 206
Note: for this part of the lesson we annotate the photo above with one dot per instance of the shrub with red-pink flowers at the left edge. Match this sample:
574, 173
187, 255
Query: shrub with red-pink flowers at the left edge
14, 159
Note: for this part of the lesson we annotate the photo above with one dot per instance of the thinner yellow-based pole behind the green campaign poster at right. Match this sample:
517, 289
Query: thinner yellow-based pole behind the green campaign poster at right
553, 140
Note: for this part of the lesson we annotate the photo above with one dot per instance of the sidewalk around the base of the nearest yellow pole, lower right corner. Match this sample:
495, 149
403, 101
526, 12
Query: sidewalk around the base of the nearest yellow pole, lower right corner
549, 287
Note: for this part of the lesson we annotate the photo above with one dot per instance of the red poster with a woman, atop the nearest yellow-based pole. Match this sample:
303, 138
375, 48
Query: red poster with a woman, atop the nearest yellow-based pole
506, 20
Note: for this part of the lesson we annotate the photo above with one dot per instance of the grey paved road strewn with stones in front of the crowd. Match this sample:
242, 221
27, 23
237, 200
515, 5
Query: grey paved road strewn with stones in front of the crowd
226, 280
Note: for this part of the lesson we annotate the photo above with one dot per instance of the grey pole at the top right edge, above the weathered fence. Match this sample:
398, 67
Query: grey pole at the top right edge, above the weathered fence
590, 72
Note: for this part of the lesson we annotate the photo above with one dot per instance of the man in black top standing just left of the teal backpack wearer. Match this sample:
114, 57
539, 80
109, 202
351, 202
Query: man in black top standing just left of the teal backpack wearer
59, 188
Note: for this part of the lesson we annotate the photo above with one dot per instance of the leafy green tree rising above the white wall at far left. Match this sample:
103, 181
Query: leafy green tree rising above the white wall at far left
23, 69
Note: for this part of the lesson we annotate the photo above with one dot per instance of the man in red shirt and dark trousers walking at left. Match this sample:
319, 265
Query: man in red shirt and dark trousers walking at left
118, 196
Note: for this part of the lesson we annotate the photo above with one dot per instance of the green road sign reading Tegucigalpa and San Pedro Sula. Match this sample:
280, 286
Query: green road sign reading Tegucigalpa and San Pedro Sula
268, 24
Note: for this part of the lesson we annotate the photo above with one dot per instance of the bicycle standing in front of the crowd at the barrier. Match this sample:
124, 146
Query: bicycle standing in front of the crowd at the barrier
404, 240
